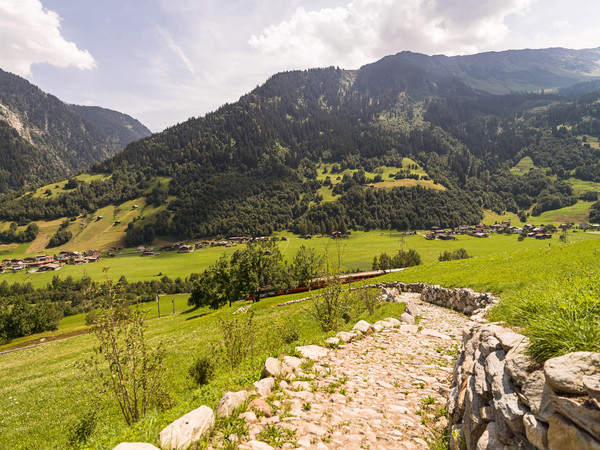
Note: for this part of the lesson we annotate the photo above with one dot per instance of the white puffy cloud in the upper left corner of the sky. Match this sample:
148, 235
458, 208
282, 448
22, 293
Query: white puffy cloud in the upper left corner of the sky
30, 34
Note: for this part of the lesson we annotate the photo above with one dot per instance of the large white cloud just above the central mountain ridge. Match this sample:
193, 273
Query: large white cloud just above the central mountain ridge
365, 30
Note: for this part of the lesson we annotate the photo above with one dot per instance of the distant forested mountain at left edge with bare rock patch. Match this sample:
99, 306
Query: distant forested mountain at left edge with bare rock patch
43, 139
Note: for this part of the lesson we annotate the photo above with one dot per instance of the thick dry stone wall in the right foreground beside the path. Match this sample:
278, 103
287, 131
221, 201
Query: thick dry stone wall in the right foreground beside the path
500, 398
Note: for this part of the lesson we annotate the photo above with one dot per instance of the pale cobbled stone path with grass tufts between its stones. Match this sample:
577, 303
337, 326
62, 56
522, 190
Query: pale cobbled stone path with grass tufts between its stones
385, 391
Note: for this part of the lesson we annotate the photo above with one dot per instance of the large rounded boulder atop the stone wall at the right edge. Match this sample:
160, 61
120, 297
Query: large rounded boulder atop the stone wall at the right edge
565, 373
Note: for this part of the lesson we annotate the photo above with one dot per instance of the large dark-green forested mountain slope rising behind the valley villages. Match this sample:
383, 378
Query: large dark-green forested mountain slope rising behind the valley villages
308, 151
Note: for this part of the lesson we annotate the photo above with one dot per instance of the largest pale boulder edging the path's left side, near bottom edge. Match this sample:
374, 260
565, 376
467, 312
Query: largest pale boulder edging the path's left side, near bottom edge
188, 429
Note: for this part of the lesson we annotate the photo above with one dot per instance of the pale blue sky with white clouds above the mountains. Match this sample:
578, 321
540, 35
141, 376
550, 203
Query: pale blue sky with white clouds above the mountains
164, 61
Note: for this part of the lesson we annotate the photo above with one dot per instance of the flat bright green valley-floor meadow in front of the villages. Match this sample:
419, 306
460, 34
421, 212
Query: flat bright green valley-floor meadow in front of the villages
357, 251
